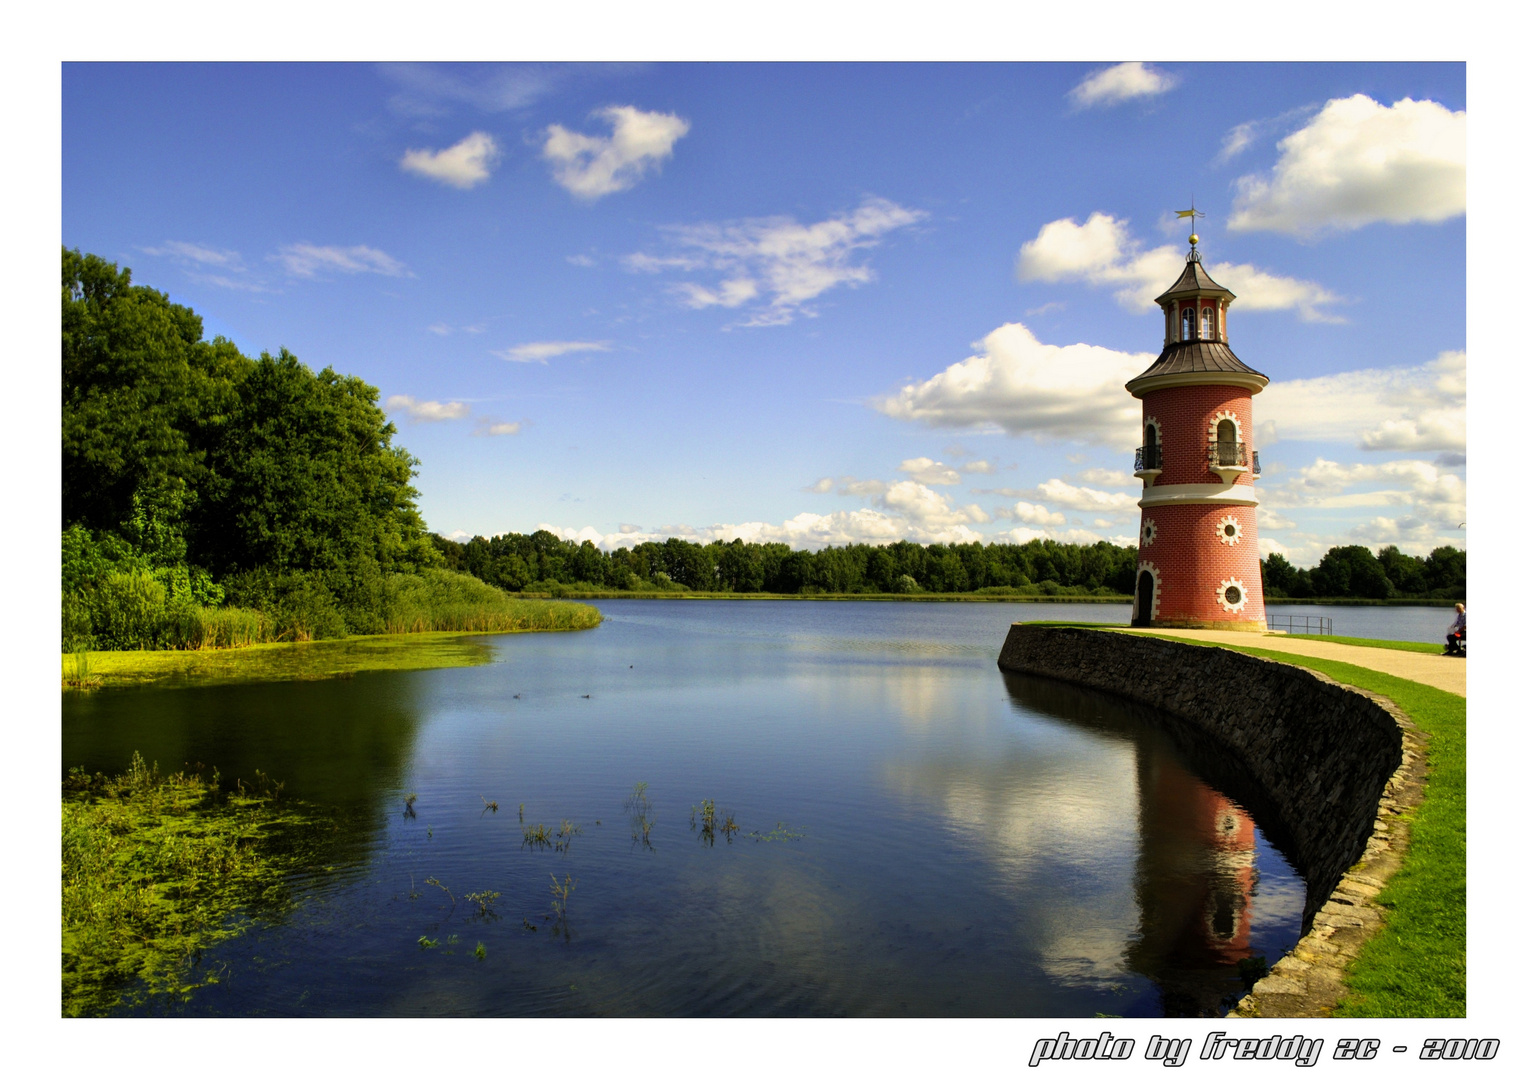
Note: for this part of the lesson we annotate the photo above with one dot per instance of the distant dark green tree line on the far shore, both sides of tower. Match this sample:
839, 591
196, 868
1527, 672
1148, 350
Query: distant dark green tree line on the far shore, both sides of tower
543, 563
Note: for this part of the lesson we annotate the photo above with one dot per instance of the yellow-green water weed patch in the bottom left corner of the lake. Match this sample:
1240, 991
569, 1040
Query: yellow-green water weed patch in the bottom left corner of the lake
157, 870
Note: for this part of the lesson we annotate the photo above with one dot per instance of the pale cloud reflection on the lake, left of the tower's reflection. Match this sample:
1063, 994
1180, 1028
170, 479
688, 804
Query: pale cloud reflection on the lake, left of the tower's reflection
1057, 826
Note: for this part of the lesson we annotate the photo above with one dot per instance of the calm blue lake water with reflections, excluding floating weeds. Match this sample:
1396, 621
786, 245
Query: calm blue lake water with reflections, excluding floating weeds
918, 833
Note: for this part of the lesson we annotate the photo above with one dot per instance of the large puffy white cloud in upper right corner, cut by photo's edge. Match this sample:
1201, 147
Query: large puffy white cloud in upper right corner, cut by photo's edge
1361, 163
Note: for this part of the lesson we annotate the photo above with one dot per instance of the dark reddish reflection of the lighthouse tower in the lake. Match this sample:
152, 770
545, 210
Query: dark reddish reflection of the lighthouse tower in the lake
1194, 885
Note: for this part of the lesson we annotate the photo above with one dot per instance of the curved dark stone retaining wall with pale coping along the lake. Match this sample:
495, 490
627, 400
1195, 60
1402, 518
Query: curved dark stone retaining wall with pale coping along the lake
1336, 766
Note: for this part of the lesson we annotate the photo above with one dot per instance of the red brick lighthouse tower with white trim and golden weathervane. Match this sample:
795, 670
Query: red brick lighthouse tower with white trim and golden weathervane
1199, 543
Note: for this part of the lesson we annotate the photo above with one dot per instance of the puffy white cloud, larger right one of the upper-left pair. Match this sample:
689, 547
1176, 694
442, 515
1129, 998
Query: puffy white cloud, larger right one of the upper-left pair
595, 166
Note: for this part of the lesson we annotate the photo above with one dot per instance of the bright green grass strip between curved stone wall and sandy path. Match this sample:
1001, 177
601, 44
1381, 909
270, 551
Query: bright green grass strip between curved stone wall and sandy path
1416, 965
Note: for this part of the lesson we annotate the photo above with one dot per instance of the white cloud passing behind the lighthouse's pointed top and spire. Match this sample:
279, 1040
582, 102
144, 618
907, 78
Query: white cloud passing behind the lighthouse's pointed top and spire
1102, 253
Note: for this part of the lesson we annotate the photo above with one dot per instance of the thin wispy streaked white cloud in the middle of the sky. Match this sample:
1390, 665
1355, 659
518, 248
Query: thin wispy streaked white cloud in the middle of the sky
775, 260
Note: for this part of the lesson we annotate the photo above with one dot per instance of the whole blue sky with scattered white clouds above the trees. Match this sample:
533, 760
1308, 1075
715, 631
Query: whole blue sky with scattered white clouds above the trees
815, 303
